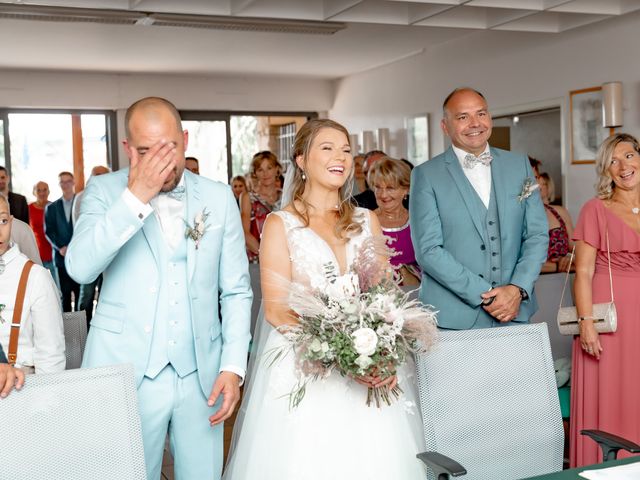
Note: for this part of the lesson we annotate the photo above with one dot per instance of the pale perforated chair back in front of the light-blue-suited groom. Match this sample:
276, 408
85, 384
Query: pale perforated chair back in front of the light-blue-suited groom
76, 425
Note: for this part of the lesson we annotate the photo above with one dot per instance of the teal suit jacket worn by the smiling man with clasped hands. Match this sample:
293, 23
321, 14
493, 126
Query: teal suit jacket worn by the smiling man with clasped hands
448, 236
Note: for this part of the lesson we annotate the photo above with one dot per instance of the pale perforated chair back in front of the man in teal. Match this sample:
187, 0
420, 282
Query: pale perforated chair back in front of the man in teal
489, 401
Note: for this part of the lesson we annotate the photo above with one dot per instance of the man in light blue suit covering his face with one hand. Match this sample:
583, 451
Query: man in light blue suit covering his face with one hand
158, 308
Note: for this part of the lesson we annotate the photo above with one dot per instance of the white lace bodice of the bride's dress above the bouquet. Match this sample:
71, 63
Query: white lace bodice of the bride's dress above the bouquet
310, 255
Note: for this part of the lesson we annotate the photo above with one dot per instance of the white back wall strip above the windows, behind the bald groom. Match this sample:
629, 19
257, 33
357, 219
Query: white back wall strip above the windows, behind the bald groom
46, 89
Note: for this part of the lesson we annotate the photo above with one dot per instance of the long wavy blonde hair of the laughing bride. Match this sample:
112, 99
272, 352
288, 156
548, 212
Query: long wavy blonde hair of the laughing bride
346, 225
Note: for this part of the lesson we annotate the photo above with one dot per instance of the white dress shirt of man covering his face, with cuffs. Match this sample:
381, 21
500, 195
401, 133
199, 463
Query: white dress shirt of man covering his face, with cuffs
171, 217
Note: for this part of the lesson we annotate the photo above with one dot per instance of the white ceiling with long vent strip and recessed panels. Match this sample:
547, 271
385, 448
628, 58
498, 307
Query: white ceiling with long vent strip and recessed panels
129, 36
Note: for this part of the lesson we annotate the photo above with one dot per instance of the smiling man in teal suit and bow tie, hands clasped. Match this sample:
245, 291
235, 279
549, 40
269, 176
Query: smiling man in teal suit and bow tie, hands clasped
477, 223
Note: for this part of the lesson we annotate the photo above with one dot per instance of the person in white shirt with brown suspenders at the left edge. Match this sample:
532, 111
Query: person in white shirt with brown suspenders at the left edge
40, 346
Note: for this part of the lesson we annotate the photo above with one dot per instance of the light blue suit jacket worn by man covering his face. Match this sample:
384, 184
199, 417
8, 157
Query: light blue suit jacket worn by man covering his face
110, 238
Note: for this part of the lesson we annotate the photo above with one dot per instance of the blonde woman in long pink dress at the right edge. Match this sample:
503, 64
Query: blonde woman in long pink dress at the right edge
605, 392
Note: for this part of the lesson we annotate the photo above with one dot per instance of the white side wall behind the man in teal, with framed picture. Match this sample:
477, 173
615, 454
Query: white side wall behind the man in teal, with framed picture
511, 69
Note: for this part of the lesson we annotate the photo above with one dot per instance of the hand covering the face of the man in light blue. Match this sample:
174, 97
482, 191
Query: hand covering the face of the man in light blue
151, 169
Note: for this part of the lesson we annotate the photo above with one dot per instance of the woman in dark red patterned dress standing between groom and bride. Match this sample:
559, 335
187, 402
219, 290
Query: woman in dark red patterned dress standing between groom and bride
264, 199
